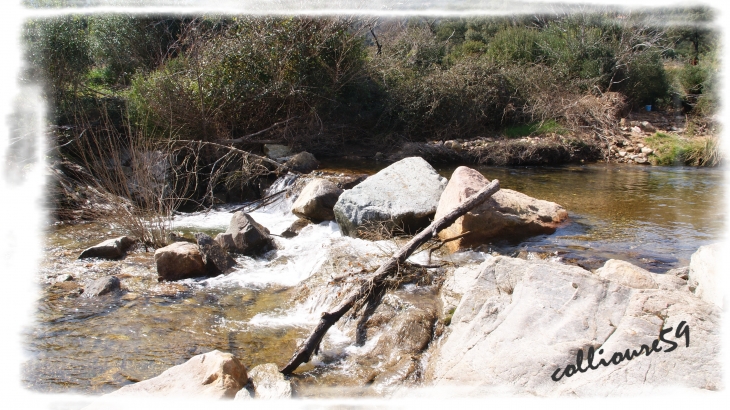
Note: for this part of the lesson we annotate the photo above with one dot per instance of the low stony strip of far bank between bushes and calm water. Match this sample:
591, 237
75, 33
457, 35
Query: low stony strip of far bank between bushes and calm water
641, 137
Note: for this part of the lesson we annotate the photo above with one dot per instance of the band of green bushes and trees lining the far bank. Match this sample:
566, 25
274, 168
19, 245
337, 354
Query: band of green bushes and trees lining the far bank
319, 82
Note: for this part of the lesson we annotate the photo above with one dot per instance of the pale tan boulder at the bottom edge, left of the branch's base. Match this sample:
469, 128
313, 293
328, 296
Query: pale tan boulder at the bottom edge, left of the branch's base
214, 375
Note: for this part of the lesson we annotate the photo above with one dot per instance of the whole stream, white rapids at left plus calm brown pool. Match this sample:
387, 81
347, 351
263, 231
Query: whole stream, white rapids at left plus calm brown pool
654, 217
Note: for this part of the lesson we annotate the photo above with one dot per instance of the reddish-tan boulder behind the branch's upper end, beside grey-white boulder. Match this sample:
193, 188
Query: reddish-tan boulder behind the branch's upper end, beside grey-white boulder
507, 213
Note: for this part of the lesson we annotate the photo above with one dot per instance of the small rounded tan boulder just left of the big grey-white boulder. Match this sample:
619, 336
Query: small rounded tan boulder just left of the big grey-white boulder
316, 201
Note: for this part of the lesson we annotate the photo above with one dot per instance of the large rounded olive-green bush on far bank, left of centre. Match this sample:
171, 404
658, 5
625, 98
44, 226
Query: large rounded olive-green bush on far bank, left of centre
253, 73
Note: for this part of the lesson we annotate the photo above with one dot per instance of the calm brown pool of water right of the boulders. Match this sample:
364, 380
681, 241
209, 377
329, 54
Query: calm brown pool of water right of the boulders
655, 217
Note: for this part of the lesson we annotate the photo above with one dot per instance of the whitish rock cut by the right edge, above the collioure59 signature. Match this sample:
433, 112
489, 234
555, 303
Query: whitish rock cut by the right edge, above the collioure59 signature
704, 274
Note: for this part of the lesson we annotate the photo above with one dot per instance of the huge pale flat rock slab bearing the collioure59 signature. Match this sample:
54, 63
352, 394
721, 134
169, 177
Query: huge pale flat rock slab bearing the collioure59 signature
519, 325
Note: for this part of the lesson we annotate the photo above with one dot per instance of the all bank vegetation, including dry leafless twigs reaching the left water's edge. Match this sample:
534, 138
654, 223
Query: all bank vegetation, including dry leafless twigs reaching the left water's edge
166, 98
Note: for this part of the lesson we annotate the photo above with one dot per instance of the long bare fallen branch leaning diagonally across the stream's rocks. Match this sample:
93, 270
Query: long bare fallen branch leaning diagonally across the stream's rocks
311, 345
